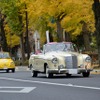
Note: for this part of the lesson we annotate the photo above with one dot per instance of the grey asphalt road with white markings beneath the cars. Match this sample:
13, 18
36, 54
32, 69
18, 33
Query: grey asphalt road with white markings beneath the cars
21, 86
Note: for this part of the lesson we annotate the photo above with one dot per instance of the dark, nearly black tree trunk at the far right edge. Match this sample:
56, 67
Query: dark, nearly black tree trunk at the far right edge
96, 9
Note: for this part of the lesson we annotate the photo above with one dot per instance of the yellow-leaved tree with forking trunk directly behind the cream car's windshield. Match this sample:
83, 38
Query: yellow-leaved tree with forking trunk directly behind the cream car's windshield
53, 10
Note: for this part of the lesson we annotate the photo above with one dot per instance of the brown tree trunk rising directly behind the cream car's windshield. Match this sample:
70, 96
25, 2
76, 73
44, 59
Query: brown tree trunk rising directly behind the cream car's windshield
59, 31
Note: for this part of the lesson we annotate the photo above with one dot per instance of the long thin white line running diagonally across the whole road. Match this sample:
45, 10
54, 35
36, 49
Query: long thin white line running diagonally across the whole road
49, 83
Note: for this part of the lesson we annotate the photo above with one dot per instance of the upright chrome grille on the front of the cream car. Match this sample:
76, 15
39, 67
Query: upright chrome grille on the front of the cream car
71, 62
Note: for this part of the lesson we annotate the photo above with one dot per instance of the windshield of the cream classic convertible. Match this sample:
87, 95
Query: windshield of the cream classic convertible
60, 47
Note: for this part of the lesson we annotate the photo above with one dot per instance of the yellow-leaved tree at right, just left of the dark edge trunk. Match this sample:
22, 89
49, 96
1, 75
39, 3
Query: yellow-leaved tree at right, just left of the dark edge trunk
80, 22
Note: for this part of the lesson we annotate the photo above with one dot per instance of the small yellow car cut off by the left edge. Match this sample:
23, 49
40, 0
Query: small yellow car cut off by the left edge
6, 63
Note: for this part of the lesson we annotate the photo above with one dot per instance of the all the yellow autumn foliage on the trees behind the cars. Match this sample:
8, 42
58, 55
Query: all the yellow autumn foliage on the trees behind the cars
41, 12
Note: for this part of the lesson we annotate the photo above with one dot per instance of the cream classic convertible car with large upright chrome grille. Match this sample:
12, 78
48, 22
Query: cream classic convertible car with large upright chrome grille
60, 58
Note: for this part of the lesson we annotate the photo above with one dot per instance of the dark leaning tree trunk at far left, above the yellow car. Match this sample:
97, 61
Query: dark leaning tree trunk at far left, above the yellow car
3, 37
